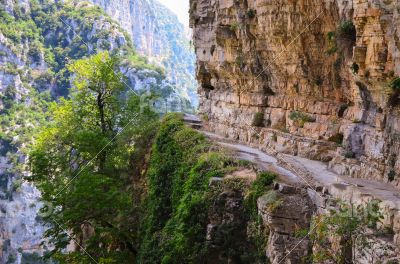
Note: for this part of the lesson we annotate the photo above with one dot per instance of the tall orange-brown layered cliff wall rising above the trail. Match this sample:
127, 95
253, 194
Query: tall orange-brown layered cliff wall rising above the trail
309, 78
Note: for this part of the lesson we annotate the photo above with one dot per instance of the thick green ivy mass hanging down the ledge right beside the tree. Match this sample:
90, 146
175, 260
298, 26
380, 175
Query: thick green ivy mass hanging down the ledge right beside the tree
179, 196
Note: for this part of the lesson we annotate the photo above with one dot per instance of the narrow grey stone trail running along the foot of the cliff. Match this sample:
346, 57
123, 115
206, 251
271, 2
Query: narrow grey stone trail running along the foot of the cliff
293, 170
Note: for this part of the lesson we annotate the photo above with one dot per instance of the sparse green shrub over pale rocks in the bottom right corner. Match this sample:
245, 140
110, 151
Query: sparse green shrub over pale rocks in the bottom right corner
346, 234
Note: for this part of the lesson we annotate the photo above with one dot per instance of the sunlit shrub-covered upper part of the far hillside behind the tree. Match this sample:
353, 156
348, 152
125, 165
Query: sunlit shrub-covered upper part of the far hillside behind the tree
44, 45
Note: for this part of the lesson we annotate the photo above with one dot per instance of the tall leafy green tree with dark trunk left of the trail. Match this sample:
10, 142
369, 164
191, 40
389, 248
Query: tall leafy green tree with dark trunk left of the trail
82, 163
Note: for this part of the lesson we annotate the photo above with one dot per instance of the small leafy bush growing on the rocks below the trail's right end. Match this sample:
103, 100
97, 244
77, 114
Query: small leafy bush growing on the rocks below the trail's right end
349, 223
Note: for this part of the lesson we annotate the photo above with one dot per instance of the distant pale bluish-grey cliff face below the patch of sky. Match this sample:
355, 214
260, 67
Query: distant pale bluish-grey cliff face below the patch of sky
157, 33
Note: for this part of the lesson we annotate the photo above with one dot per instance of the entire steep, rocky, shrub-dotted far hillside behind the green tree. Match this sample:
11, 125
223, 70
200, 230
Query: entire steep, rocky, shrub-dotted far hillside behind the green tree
38, 39
